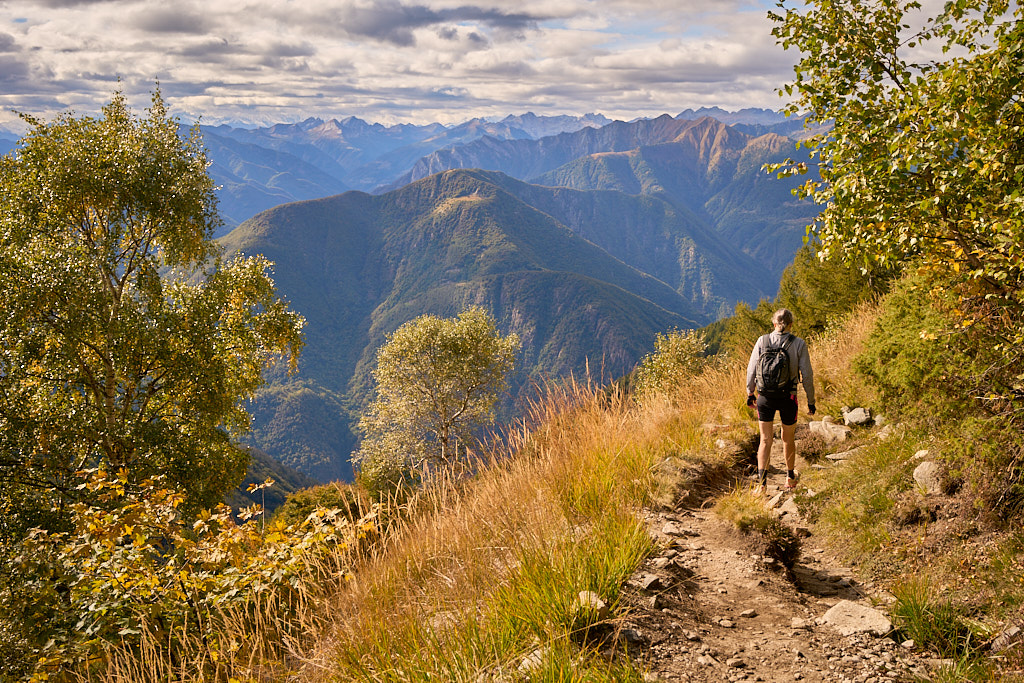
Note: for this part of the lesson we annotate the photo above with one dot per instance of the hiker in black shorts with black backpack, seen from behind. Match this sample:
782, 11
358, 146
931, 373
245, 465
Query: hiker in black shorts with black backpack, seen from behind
779, 362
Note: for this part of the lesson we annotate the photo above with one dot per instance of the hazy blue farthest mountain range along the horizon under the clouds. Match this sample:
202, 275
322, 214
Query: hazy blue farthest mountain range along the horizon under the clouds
260, 168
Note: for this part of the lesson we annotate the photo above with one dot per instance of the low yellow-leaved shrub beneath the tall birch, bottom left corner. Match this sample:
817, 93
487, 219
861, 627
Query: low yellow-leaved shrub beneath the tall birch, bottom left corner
134, 565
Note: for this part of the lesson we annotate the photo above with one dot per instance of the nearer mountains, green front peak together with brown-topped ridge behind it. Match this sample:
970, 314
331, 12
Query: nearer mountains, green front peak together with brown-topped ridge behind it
623, 232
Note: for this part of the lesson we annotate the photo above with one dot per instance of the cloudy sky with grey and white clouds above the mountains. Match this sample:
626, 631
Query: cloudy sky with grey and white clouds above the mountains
390, 61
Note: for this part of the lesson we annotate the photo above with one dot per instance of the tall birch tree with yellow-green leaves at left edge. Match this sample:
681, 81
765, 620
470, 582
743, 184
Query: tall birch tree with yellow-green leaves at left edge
125, 343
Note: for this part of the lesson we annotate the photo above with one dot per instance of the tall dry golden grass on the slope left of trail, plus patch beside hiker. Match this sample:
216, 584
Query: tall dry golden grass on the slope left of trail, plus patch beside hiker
557, 496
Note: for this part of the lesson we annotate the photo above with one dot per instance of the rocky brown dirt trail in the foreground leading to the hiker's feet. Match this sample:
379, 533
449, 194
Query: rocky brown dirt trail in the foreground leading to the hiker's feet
709, 609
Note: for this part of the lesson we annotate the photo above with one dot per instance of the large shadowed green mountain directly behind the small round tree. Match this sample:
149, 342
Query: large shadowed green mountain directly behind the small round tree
586, 279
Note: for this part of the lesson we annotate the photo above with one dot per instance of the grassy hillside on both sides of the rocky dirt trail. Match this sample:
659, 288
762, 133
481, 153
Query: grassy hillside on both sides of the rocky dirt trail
475, 573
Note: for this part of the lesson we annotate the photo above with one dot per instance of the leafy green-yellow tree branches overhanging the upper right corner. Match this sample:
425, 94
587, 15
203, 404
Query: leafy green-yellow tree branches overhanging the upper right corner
924, 158
